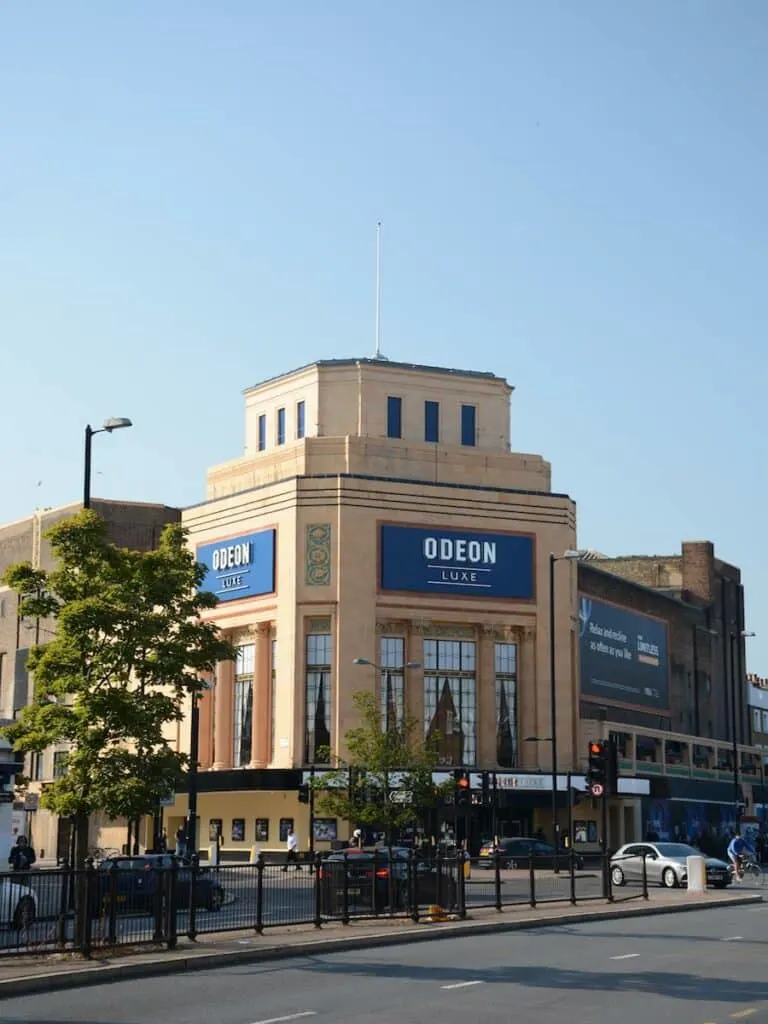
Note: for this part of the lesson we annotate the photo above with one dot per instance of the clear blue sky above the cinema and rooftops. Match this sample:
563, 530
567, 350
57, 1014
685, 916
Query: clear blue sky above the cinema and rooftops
574, 196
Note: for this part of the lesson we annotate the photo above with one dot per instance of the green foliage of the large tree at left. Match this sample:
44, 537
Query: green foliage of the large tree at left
129, 652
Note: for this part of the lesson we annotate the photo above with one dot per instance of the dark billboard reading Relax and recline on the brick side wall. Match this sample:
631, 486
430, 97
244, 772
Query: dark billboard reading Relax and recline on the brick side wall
623, 656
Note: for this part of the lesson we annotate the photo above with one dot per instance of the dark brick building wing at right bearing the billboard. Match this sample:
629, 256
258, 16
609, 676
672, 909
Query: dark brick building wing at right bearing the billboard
662, 663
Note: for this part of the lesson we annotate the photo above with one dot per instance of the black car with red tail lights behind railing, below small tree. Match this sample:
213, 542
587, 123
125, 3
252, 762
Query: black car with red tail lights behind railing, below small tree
375, 883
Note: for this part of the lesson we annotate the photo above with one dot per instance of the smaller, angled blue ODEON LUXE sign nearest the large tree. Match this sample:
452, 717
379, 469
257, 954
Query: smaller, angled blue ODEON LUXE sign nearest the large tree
240, 567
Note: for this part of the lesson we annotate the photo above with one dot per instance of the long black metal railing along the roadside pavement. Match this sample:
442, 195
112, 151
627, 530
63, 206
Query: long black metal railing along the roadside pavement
113, 906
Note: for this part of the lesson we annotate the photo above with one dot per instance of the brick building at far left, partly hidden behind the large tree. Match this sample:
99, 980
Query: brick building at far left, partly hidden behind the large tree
131, 525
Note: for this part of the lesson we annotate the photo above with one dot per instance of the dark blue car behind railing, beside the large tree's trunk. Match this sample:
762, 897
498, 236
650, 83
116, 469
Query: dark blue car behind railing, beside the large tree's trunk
140, 879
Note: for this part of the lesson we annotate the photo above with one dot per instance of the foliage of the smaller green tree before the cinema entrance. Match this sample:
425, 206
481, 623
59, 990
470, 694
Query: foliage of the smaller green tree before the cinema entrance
381, 762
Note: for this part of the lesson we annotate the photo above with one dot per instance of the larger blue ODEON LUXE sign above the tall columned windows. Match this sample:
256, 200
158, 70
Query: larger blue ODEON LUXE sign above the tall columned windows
429, 561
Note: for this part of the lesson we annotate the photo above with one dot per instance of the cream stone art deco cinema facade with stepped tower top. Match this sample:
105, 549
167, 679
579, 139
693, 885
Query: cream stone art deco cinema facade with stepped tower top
380, 515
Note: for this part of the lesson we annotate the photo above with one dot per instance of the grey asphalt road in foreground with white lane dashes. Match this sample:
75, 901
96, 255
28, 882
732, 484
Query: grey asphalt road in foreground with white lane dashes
705, 968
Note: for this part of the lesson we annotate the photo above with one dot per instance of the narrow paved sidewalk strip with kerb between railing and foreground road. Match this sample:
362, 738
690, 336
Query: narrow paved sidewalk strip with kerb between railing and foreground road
24, 975
